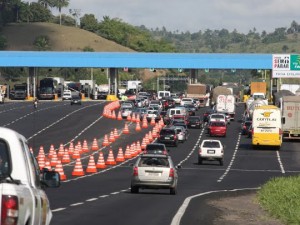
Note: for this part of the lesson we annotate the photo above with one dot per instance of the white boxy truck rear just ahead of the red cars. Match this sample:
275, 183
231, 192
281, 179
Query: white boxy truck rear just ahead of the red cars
226, 104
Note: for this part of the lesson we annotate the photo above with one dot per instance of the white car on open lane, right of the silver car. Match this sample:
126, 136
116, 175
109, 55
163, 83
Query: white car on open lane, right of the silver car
211, 150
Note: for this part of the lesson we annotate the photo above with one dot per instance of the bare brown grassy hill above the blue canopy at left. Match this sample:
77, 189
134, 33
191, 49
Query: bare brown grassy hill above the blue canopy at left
20, 37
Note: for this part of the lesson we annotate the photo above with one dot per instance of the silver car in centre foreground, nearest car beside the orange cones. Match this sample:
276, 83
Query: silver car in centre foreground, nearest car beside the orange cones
154, 171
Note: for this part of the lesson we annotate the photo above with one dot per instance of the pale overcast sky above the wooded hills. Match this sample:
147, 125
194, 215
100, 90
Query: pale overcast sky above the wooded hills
195, 15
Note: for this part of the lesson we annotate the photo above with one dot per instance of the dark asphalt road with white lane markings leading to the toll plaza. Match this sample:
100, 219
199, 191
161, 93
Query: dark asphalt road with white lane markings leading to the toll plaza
104, 197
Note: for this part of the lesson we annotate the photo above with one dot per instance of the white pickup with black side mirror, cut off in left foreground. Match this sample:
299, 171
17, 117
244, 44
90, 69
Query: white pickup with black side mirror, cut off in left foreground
22, 196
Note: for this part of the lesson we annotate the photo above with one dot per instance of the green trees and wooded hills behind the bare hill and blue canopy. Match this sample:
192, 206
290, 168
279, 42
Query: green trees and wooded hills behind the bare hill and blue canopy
283, 39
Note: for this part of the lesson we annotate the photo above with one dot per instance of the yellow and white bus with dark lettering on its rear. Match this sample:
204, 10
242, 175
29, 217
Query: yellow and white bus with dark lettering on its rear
267, 126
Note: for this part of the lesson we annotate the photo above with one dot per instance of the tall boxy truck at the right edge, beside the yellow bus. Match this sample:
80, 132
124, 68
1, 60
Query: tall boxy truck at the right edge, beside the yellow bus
290, 109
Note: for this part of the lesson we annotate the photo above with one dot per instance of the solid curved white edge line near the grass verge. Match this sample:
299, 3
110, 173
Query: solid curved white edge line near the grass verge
176, 219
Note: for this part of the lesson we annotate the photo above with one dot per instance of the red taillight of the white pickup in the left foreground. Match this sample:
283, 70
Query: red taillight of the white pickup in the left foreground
10, 210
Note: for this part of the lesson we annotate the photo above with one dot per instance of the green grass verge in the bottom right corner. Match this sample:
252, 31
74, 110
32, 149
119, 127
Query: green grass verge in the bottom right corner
281, 198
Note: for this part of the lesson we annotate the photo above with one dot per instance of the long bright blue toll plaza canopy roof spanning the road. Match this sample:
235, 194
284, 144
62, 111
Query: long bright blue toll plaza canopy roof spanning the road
135, 60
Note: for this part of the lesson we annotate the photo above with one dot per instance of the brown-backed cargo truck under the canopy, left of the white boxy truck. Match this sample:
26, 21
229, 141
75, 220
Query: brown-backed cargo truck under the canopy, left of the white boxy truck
198, 91
